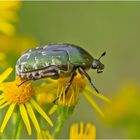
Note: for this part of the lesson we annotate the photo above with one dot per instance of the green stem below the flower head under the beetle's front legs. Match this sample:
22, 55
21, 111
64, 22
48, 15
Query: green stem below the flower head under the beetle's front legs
59, 124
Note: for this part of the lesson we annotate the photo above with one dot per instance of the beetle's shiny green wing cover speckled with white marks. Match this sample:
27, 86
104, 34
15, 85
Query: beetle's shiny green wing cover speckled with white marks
36, 59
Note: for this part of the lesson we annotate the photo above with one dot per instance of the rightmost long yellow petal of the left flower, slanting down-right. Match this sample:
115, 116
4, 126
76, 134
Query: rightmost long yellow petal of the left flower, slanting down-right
42, 113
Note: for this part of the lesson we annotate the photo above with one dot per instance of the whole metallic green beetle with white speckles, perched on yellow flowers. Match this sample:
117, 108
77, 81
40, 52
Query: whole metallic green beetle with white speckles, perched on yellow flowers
55, 61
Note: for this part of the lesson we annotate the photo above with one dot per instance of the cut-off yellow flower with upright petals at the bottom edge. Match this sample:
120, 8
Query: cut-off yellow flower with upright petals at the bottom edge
79, 131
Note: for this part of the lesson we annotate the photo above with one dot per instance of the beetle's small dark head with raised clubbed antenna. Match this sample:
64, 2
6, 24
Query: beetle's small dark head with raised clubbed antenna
97, 64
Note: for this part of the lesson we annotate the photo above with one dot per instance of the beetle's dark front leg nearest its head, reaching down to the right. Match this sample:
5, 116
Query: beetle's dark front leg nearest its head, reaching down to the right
82, 71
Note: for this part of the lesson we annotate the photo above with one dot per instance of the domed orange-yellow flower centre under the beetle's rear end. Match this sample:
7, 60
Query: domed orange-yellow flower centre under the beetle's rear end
18, 94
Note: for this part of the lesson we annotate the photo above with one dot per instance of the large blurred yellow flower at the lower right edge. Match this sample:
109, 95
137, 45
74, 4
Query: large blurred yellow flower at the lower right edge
123, 114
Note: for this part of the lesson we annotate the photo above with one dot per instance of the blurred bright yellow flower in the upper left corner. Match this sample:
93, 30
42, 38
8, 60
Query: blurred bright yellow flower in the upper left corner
8, 15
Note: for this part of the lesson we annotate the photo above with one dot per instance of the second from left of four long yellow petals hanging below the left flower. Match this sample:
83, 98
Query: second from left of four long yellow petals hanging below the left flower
25, 118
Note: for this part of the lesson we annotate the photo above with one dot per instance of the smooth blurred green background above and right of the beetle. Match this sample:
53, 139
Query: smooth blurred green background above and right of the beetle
113, 27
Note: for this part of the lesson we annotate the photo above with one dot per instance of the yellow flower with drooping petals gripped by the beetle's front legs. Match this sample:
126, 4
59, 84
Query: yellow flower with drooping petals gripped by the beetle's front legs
79, 85
